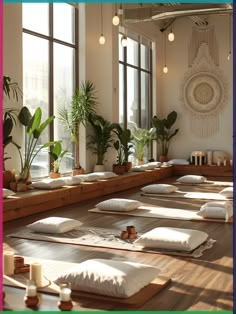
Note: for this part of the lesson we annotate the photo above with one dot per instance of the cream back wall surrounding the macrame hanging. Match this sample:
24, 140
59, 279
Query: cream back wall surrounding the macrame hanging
169, 85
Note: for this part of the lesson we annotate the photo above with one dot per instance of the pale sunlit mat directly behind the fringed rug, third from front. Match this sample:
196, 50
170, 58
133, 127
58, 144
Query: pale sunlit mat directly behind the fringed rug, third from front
150, 211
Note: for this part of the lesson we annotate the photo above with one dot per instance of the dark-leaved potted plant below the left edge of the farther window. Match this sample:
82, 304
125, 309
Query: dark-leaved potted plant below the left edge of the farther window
125, 138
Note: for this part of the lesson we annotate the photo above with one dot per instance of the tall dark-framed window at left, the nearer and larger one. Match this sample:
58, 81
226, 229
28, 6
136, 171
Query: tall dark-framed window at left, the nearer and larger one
50, 71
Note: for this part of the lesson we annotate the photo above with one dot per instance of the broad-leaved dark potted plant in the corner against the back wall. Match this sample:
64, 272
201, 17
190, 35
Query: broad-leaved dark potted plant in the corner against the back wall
164, 133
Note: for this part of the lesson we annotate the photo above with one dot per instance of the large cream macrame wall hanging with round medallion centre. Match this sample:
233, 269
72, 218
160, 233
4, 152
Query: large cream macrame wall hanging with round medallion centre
204, 90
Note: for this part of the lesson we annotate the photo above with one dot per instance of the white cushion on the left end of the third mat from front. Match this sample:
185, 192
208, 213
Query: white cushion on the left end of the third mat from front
119, 204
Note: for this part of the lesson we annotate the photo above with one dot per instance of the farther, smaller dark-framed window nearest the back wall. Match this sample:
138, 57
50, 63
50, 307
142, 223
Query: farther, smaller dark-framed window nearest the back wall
135, 82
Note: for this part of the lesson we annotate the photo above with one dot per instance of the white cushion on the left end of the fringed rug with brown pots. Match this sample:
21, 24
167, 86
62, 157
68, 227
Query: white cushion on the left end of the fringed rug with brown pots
54, 225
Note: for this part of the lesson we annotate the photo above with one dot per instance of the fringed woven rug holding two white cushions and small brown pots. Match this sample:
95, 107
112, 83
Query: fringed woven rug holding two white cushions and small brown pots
104, 238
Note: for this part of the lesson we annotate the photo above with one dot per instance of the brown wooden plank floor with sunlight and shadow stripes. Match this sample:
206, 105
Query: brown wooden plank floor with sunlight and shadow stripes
205, 283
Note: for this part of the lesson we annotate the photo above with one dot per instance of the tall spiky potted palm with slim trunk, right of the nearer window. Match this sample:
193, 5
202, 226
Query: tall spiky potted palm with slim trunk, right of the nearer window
83, 104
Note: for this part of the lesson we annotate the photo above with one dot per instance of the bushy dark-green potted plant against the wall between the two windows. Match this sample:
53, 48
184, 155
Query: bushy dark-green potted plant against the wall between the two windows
101, 139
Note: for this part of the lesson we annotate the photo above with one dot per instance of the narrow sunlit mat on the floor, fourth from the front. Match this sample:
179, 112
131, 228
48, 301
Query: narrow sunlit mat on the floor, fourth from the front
192, 195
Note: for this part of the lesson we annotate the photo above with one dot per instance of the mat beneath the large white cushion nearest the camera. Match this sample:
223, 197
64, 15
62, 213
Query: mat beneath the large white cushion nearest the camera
51, 269
